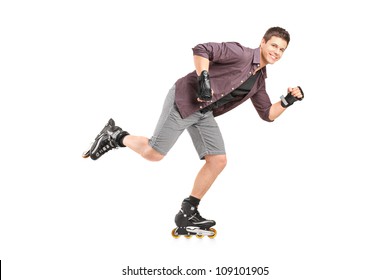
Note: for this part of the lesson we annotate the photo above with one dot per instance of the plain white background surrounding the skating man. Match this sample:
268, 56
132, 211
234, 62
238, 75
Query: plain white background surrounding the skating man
305, 195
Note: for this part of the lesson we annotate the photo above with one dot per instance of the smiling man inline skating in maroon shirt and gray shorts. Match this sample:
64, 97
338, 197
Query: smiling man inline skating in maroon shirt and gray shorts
225, 76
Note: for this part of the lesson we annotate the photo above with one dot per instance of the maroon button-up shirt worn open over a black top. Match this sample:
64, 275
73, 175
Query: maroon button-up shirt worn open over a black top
231, 64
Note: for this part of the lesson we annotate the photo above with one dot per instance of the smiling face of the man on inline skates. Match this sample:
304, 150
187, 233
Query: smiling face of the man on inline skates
273, 50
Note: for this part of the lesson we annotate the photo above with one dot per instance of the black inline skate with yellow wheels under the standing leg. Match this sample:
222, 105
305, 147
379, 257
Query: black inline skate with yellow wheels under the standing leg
189, 222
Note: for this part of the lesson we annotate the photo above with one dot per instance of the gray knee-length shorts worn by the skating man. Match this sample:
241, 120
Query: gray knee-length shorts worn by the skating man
203, 129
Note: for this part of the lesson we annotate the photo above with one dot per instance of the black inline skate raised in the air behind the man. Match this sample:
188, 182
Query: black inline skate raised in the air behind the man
109, 138
